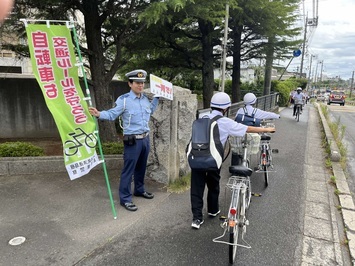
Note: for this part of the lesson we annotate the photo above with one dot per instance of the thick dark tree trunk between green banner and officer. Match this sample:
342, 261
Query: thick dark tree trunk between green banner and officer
99, 76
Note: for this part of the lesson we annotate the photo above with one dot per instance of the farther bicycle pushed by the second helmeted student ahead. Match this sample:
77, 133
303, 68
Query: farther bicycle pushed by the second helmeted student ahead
265, 158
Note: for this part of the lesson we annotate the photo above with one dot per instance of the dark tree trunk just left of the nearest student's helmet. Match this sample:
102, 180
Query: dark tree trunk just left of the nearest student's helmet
206, 29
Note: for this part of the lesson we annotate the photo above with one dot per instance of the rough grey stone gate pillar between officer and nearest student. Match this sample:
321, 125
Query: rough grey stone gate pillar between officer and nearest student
170, 127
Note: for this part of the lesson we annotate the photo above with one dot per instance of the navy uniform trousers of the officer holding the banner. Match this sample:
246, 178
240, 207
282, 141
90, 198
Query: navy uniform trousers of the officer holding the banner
135, 164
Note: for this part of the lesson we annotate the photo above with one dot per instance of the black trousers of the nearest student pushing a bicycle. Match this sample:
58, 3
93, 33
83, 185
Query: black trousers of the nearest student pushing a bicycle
199, 179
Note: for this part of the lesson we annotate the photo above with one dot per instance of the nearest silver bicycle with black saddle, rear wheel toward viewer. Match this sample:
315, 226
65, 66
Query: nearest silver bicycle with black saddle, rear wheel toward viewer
239, 185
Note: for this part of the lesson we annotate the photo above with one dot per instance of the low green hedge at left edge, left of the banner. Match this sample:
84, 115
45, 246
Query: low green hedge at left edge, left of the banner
20, 149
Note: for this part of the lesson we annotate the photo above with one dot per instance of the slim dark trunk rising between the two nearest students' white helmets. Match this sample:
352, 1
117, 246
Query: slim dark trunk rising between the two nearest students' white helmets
236, 93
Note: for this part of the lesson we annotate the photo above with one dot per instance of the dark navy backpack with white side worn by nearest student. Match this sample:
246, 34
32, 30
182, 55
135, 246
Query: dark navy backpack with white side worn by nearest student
205, 150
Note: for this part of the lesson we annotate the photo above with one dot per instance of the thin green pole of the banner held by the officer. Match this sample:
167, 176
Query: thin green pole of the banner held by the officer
88, 98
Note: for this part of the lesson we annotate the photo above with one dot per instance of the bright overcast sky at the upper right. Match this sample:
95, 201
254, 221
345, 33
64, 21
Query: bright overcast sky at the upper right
332, 41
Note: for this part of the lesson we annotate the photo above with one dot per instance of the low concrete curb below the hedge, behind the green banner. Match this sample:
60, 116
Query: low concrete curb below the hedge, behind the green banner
10, 166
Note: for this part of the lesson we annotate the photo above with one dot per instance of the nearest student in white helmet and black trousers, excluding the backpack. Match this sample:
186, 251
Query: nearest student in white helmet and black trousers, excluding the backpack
220, 104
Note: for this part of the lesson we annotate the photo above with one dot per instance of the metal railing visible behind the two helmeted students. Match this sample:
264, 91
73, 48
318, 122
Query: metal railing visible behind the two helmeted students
266, 103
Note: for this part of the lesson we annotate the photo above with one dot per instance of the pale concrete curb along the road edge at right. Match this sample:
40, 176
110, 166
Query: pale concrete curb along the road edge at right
345, 198
